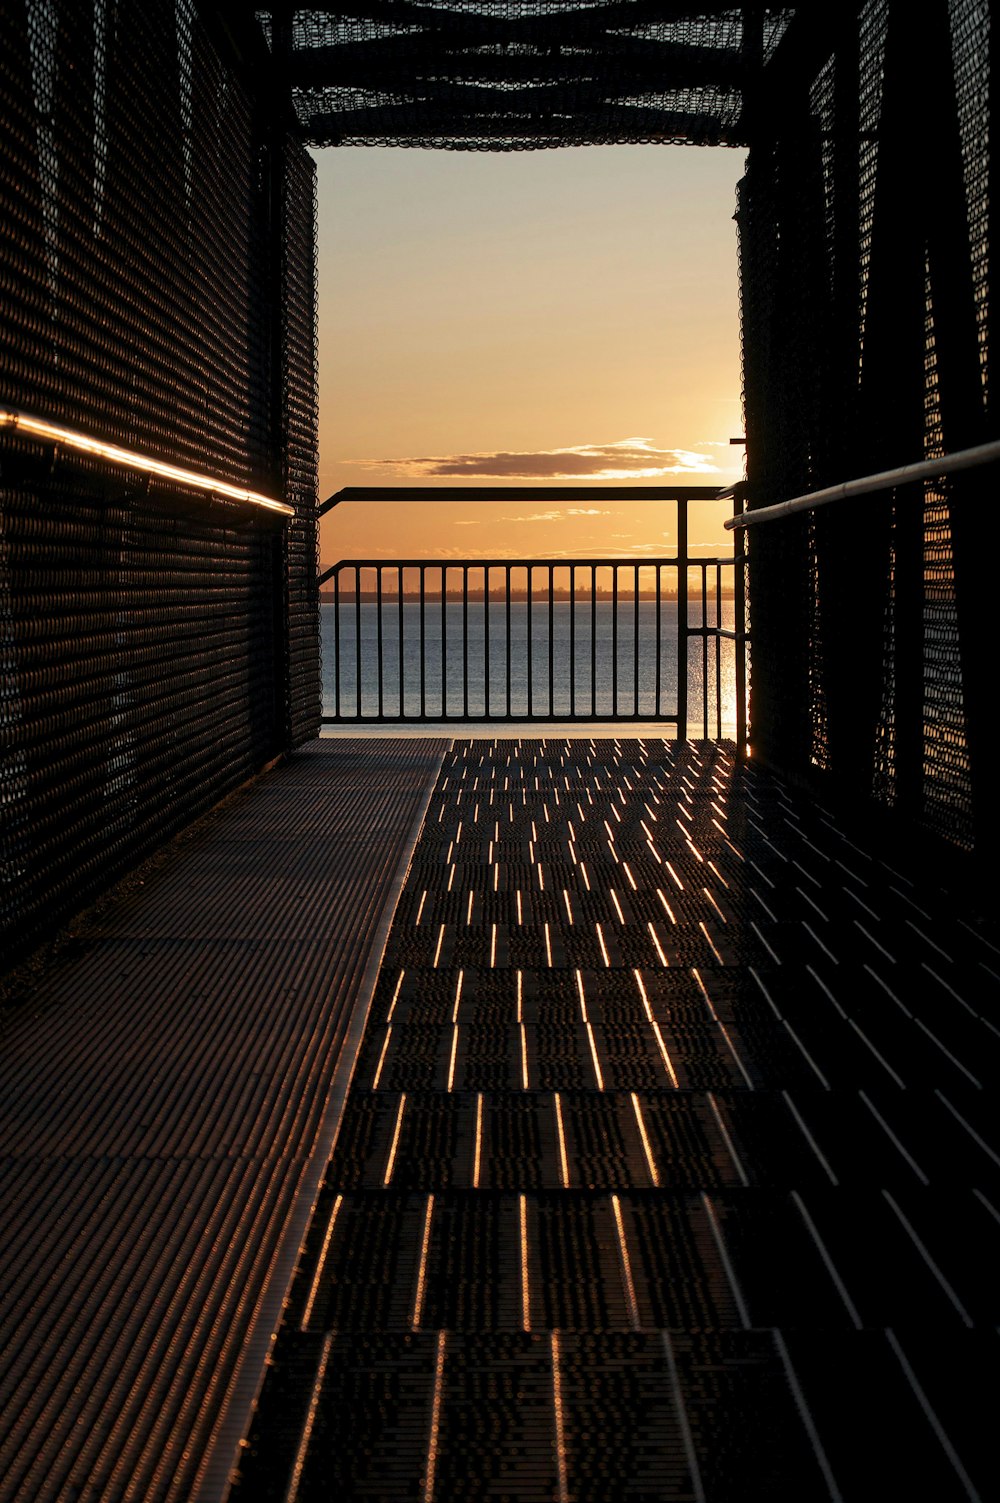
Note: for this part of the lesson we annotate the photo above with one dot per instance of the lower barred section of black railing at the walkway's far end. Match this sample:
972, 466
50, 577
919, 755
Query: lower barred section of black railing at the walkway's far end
533, 640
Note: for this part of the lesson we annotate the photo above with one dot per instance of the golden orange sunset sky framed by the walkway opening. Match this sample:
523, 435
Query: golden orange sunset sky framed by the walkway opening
527, 319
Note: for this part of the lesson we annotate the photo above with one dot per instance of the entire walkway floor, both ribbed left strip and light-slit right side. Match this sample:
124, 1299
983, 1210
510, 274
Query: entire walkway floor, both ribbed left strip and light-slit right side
560, 1116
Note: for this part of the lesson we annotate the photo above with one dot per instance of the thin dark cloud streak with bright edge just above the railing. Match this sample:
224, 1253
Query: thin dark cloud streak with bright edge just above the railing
625, 459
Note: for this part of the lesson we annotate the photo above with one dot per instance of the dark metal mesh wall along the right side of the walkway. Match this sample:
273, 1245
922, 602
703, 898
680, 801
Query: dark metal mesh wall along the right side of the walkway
865, 294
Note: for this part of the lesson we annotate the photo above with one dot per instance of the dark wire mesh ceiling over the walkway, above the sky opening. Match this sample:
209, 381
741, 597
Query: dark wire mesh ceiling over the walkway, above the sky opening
518, 74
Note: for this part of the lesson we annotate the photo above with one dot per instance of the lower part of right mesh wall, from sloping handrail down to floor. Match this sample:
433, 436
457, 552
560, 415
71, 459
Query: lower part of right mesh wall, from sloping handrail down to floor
894, 692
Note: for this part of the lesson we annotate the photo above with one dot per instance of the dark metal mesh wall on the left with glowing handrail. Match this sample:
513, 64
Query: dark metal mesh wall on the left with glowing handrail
144, 626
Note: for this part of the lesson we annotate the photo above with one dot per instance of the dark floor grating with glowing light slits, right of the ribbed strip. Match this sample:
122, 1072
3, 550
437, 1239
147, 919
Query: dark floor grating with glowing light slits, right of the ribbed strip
668, 1169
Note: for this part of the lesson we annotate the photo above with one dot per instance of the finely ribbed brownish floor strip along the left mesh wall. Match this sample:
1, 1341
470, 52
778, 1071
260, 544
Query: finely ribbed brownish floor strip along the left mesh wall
168, 1107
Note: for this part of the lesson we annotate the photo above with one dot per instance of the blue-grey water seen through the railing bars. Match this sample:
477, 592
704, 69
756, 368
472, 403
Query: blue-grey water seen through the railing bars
560, 667
